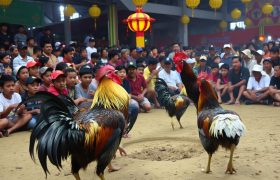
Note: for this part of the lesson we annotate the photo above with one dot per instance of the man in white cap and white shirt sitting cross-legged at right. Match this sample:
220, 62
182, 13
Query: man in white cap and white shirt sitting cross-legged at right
257, 86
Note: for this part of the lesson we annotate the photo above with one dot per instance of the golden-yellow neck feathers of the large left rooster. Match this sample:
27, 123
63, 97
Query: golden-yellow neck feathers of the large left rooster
110, 95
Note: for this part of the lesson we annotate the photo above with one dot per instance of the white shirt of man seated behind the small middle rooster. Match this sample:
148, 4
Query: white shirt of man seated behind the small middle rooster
171, 79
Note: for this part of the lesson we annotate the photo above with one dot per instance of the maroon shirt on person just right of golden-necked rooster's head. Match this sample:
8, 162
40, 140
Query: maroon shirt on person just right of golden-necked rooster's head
137, 85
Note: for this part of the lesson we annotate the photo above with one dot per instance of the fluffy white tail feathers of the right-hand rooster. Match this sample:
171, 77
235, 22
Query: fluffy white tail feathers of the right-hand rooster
229, 125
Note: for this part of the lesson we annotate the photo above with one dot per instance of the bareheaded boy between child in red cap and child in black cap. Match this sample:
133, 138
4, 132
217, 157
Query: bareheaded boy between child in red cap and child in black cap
71, 81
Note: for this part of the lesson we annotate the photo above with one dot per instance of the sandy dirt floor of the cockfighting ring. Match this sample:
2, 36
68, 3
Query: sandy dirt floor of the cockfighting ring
157, 152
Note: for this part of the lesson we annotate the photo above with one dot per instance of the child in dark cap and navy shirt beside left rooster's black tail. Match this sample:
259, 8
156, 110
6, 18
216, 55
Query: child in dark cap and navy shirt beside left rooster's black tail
32, 108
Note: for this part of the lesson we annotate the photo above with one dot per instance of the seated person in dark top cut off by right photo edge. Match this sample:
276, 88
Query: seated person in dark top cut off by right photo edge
274, 87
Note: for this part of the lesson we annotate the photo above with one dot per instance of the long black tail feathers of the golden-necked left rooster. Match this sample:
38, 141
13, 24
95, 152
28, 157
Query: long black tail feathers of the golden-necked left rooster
58, 135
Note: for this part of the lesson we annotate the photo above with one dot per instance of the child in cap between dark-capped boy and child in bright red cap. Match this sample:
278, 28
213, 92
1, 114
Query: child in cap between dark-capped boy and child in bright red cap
45, 74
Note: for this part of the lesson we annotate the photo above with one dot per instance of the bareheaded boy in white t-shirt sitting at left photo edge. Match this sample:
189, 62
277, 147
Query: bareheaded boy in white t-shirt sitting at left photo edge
9, 100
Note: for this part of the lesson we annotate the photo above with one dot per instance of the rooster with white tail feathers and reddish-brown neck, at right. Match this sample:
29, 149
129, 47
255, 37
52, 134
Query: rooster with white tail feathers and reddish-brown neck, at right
216, 125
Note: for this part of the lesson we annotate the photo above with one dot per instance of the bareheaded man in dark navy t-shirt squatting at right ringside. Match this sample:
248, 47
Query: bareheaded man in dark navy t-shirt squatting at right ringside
238, 77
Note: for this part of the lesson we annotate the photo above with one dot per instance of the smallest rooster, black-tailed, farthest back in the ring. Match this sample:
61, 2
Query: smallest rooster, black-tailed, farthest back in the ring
175, 105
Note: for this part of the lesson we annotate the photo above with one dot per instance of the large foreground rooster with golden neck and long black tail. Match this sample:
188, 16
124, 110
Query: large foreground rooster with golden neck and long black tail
88, 136
